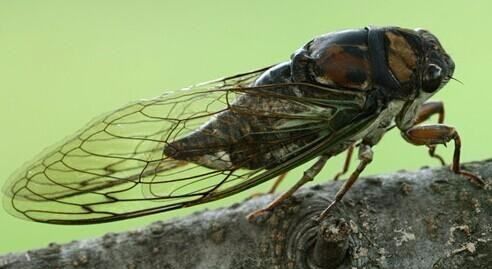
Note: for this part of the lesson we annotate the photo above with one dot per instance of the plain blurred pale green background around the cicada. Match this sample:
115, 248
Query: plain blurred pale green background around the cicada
64, 62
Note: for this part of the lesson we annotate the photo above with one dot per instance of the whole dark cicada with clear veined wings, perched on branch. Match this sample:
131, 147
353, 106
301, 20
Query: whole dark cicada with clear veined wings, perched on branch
216, 139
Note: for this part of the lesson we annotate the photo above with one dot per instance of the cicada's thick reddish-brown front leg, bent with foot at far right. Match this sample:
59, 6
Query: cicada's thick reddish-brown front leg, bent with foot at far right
432, 135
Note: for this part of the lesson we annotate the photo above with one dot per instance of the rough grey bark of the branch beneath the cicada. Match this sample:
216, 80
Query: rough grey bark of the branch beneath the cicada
430, 218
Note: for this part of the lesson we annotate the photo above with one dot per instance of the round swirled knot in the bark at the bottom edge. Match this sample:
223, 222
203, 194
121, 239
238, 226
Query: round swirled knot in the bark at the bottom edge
300, 241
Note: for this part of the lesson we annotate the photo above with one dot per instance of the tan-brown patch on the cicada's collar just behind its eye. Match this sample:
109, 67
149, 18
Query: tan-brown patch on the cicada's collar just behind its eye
401, 57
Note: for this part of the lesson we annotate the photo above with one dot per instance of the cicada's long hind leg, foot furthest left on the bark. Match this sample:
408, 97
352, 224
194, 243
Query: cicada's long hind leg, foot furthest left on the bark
308, 176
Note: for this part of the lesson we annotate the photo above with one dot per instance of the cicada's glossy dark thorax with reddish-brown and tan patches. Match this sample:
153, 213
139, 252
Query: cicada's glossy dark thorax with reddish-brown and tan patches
362, 59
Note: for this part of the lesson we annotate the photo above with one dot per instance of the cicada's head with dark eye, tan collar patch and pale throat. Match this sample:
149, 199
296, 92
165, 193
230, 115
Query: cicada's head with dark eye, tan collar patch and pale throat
420, 64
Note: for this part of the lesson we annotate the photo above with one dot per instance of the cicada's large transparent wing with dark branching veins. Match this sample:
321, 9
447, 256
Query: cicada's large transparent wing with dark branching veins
115, 168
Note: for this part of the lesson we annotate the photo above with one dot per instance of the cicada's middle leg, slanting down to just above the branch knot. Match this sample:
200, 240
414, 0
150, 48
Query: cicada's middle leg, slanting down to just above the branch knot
365, 157
